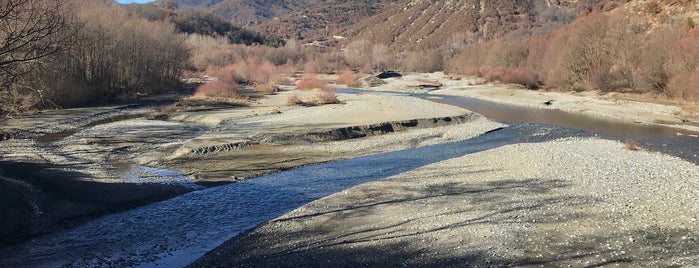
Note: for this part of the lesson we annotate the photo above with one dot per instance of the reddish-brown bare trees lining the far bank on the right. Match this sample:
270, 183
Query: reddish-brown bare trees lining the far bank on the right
598, 51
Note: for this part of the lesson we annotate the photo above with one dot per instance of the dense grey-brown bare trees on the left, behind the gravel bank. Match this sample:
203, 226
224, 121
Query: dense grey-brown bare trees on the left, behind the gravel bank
65, 53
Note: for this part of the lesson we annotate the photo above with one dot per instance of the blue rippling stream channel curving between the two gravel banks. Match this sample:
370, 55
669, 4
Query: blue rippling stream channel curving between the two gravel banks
177, 231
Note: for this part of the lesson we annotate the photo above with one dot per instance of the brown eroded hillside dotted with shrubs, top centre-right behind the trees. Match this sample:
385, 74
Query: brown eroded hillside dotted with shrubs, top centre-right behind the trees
418, 24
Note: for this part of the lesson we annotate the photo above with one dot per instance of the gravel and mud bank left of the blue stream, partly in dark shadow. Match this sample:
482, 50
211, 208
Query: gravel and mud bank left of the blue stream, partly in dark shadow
75, 165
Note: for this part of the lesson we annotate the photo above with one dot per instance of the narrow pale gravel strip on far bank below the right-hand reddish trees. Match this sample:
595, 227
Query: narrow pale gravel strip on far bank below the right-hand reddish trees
612, 106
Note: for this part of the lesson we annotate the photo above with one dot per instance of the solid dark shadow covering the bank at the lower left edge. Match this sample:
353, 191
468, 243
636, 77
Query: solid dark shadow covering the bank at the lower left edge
37, 198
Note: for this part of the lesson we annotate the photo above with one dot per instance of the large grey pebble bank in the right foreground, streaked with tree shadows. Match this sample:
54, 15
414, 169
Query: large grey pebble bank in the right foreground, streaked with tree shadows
495, 208
